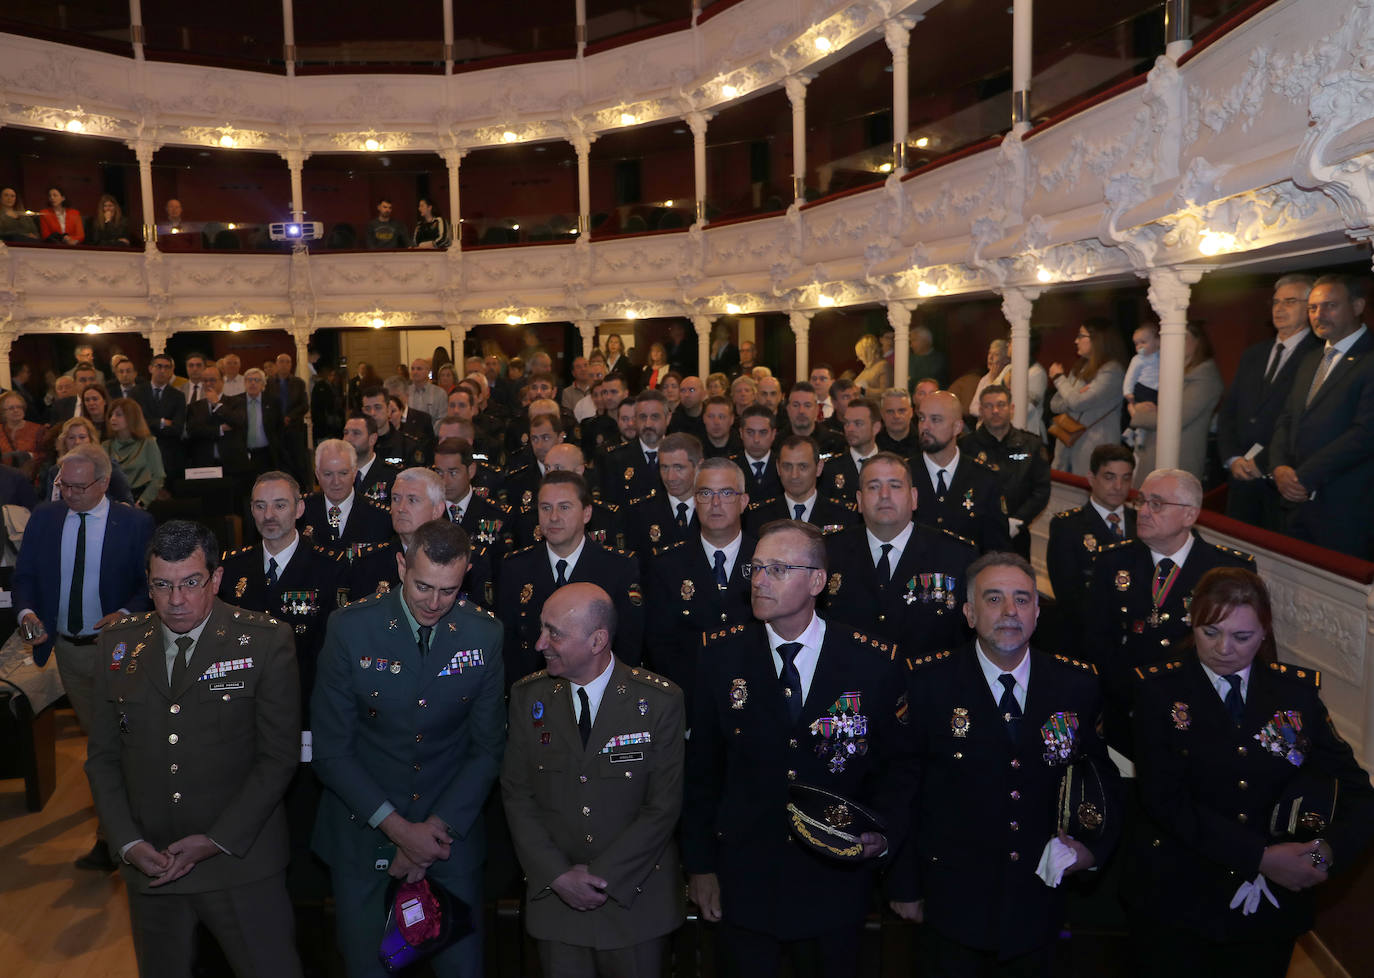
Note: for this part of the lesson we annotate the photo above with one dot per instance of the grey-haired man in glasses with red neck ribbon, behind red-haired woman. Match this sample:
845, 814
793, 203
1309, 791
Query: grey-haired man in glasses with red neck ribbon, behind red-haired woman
1138, 605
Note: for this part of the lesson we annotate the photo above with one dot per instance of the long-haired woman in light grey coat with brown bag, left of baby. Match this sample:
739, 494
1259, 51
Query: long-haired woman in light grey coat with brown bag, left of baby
1089, 395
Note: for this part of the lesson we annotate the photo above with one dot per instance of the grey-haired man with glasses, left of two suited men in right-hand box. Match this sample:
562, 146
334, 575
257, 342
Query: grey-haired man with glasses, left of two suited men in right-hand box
1251, 407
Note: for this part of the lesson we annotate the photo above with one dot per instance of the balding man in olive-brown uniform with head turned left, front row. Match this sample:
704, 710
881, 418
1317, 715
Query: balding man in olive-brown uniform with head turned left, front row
593, 788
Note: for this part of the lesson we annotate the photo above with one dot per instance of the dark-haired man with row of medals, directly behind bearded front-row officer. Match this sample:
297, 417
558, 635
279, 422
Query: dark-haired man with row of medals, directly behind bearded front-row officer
901, 579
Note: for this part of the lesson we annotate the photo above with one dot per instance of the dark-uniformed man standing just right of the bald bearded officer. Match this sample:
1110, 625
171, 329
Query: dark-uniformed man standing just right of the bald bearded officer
1016, 457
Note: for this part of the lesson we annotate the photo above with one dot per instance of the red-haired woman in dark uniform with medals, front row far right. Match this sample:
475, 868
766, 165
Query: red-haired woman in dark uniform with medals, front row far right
1224, 865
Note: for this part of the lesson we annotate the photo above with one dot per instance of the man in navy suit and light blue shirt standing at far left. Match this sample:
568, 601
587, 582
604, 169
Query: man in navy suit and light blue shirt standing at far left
95, 578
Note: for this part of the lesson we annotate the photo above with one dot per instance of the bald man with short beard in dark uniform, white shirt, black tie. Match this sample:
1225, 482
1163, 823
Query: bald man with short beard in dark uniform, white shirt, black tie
956, 492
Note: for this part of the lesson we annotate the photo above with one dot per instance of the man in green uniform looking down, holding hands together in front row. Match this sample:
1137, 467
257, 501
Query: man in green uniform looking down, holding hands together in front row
410, 727
